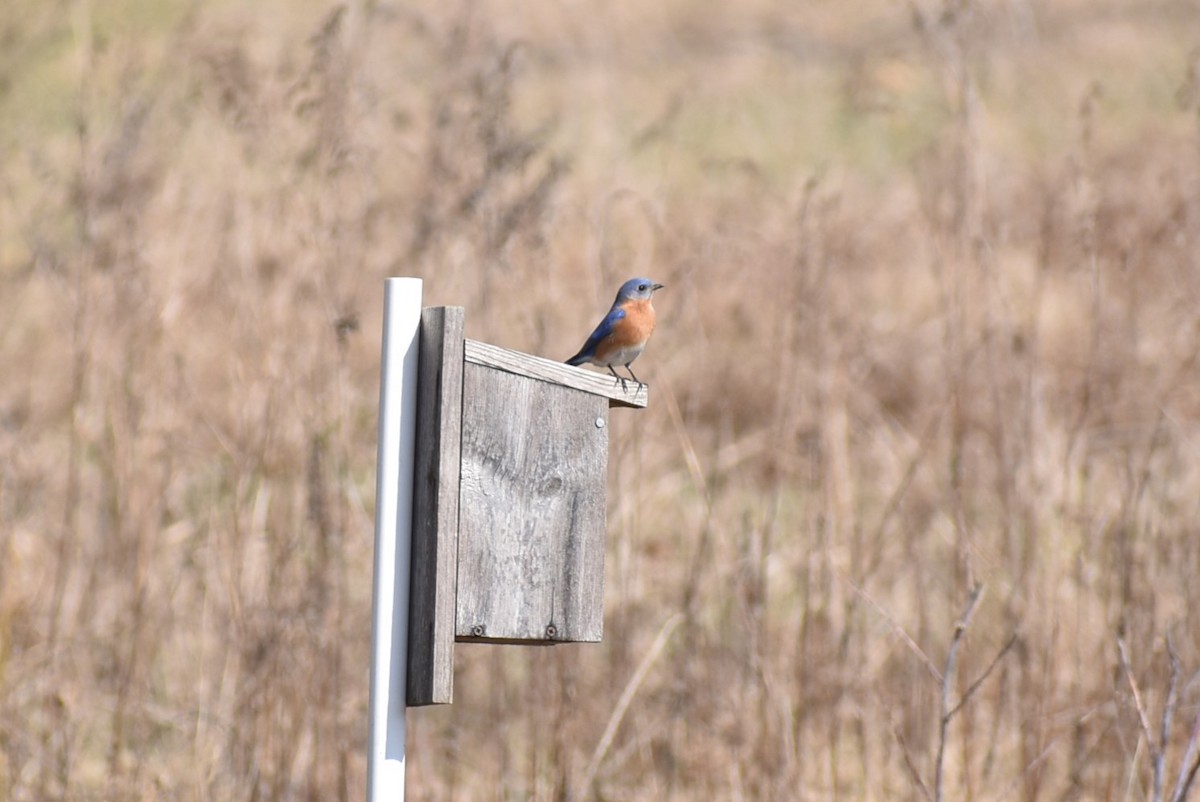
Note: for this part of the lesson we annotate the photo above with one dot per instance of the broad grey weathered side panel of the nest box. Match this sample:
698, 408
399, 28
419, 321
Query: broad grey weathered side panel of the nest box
532, 510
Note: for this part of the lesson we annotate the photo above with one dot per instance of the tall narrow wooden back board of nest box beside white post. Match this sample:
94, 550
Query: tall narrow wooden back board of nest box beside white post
435, 561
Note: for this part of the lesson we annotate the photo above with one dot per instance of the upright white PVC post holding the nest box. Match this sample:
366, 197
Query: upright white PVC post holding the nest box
394, 536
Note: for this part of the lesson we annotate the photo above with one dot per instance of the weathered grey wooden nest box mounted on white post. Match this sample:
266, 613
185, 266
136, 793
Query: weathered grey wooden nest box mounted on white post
509, 504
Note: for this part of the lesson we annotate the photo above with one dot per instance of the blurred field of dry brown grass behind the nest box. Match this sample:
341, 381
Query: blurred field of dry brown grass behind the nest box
923, 453
